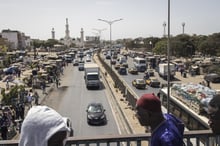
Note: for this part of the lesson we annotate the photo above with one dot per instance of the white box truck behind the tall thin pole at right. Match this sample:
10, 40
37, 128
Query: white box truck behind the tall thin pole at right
163, 70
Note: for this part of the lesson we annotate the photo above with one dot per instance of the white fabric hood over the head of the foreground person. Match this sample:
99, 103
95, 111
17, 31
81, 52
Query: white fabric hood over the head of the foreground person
39, 125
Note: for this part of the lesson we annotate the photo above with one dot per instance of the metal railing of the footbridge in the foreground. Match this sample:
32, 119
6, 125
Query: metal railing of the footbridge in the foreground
191, 138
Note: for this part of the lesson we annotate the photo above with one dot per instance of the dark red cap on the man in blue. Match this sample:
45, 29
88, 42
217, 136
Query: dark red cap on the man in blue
149, 102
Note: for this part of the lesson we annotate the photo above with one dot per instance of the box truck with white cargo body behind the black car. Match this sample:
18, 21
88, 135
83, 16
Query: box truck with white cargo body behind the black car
92, 75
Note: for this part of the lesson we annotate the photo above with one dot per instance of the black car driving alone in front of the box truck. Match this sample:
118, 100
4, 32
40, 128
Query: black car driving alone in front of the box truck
96, 114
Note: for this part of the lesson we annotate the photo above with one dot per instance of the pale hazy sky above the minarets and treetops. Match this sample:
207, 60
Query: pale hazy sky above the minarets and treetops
140, 18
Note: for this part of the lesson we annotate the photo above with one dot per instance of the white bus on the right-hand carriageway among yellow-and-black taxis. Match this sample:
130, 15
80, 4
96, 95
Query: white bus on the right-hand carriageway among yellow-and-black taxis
140, 64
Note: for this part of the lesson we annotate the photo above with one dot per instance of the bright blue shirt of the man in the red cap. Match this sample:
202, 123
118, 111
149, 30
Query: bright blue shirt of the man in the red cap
168, 133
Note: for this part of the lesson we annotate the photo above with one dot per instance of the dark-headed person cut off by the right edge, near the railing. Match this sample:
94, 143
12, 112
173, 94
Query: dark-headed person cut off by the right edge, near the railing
214, 114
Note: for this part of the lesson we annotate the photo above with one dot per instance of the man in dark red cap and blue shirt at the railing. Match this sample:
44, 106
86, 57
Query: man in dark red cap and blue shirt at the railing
166, 129
